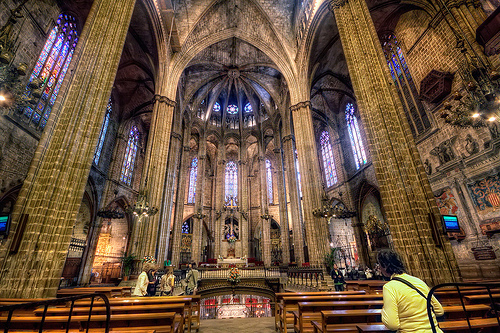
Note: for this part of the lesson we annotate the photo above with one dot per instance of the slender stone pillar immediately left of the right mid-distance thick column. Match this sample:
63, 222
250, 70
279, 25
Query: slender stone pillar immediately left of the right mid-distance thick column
295, 212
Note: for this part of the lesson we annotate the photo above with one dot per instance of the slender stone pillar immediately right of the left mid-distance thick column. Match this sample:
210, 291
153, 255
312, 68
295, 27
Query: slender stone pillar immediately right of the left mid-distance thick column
180, 196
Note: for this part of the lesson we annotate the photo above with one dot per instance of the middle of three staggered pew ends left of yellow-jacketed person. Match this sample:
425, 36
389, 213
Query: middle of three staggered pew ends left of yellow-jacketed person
310, 311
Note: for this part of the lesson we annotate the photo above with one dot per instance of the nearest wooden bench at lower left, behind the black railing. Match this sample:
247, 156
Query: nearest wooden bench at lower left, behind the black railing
158, 321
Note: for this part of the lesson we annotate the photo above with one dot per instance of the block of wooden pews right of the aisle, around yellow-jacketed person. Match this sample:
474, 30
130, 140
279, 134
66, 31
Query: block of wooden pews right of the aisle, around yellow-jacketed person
360, 311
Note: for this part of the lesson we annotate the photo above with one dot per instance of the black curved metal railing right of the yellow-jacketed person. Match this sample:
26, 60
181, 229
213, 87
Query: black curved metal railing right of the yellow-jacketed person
487, 286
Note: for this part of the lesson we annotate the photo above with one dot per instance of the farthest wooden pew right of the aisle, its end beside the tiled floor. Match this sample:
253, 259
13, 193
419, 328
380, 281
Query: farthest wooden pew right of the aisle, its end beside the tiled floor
290, 304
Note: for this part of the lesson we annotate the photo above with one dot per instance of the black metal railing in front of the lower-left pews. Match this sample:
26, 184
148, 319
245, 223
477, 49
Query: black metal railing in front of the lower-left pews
11, 308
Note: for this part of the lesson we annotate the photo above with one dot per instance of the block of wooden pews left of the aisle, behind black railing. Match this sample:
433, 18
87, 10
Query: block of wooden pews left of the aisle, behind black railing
141, 314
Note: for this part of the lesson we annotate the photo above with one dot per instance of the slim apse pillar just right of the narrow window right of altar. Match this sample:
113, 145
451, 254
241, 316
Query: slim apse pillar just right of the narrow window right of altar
280, 181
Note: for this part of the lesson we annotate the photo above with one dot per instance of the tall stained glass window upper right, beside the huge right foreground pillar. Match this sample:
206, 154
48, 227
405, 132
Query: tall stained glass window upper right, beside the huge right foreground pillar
413, 107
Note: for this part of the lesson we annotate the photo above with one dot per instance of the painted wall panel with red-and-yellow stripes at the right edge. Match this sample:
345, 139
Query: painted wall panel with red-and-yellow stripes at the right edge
486, 194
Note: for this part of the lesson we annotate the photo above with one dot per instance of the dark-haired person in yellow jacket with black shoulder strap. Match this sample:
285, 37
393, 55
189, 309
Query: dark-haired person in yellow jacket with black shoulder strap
405, 298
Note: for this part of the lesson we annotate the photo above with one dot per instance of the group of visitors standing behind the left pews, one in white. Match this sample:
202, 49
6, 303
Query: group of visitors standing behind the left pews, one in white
147, 282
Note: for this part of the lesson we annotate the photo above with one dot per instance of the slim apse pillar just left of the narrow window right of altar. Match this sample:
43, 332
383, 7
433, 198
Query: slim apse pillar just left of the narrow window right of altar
264, 209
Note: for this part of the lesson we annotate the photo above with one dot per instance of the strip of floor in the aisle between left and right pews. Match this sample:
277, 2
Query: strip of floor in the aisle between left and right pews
238, 325
